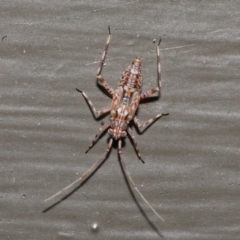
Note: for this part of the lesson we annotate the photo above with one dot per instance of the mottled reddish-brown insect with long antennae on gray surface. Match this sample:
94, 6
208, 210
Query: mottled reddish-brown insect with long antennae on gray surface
125, 101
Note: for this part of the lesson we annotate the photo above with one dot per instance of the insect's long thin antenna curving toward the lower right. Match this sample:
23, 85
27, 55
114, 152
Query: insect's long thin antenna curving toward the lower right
127, 173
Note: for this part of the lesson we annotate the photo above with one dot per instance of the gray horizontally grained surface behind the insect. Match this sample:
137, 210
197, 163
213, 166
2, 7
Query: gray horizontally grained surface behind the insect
191, 175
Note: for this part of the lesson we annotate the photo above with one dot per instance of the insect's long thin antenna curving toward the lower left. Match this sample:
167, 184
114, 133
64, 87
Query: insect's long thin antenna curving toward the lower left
84, 175
